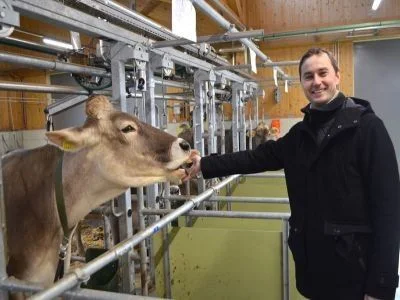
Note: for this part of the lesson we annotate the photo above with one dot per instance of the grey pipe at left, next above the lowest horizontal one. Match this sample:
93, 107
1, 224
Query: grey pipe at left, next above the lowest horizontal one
52, 65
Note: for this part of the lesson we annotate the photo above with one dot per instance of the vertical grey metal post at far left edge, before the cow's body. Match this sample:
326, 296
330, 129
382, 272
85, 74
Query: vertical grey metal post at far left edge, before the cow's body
3, 258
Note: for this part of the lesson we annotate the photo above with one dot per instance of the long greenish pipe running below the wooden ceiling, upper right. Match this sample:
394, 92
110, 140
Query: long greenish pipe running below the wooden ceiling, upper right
334, 29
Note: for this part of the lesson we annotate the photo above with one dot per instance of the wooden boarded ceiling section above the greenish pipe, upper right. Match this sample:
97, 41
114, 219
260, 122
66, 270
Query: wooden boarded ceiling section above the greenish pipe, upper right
288, 15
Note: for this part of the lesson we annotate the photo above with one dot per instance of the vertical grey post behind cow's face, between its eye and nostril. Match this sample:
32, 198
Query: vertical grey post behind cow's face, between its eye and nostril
151, 190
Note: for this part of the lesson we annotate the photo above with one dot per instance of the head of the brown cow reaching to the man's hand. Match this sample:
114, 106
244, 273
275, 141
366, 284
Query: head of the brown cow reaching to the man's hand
124, 149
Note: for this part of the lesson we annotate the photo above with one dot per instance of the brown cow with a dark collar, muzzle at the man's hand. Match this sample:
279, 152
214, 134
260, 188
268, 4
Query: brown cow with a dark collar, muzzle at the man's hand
111, 152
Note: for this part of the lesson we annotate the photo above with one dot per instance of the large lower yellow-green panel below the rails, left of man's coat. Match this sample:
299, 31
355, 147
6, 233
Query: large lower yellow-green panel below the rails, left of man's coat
223, 264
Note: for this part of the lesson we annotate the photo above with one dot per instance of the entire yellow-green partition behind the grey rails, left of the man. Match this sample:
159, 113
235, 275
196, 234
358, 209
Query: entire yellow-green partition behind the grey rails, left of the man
221, 258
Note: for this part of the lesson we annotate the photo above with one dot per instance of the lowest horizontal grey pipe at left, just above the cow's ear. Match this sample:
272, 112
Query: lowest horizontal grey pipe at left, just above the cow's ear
41, 88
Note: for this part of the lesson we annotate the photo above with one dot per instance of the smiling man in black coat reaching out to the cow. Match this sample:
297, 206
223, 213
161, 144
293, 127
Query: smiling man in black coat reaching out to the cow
343, 185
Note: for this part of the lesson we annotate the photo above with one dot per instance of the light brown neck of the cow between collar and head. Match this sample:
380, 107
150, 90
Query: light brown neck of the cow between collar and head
85, 187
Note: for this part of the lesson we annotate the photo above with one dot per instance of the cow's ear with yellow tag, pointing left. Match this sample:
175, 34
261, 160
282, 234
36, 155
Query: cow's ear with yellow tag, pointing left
72, 139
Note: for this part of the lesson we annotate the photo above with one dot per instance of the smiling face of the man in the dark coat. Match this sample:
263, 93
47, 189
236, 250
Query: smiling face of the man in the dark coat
319, 79
